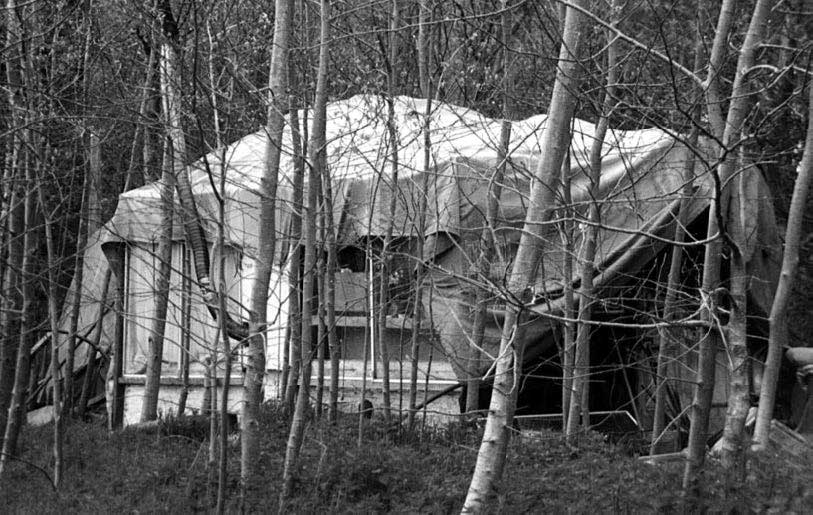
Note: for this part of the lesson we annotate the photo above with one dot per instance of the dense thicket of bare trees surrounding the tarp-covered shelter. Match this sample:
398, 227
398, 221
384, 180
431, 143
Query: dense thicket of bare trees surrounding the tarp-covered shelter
101, 96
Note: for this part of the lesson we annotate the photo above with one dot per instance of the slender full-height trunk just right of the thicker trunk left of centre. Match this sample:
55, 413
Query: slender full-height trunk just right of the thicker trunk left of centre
318, 157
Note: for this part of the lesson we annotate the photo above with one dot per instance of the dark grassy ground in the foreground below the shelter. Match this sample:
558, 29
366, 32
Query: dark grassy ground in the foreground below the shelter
427, 471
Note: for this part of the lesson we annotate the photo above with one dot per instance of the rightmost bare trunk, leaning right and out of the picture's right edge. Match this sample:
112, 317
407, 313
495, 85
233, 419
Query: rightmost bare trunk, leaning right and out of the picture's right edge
777, 337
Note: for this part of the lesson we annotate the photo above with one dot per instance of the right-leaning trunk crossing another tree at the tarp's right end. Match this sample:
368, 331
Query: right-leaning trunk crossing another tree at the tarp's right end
701, 405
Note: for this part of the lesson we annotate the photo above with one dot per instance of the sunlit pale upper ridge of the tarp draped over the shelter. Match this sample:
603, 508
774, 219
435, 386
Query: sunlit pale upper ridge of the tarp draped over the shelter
357, 153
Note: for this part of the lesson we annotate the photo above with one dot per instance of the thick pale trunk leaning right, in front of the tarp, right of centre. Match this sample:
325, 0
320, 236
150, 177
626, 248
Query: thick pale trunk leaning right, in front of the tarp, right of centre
491, 456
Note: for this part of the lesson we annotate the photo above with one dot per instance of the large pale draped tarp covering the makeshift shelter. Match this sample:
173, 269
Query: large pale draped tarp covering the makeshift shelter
642, 180
